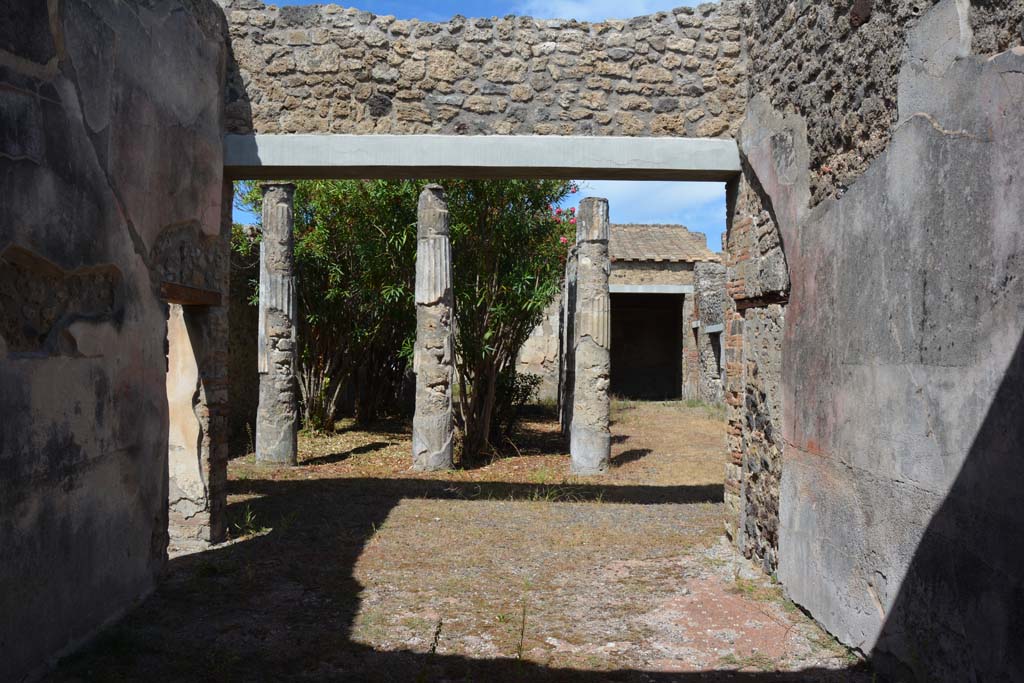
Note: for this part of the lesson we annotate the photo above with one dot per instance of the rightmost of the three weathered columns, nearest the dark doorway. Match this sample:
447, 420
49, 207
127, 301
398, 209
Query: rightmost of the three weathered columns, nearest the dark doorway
590, 441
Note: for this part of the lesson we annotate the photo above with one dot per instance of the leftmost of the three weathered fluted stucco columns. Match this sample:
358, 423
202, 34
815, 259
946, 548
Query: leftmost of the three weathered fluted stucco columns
277, 418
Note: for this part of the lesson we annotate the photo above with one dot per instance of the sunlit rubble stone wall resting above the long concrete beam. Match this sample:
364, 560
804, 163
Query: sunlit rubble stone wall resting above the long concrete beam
323, 69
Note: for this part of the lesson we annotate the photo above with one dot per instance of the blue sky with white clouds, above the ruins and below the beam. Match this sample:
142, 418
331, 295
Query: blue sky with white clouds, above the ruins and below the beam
700, 206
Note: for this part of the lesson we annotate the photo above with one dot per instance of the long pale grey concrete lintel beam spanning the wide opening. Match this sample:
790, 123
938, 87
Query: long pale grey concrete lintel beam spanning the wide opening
593, 158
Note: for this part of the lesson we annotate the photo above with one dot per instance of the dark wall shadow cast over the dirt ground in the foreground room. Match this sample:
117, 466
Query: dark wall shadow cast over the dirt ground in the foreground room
270, 608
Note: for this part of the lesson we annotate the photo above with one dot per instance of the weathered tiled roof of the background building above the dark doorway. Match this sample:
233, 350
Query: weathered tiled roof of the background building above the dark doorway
671, 244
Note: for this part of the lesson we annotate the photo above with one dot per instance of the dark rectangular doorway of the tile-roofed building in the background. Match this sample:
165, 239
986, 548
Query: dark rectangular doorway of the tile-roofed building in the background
647, 347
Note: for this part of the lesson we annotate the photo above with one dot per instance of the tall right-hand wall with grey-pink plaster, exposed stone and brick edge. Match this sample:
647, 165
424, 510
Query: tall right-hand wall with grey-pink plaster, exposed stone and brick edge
887, 154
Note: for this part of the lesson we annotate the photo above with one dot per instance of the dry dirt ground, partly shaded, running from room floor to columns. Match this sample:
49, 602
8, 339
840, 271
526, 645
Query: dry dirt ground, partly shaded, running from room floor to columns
351, 568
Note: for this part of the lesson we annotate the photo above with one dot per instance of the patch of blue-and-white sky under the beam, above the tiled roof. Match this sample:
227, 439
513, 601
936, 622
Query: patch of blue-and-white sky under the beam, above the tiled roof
699, 206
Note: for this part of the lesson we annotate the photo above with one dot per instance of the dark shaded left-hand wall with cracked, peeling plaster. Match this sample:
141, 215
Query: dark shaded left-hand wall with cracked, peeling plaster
111, 174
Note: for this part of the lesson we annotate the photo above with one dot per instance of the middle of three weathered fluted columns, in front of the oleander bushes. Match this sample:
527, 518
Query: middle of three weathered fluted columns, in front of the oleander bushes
434, 361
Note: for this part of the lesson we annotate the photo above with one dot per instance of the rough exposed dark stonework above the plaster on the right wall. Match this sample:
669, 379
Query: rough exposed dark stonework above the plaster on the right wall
837, 65
